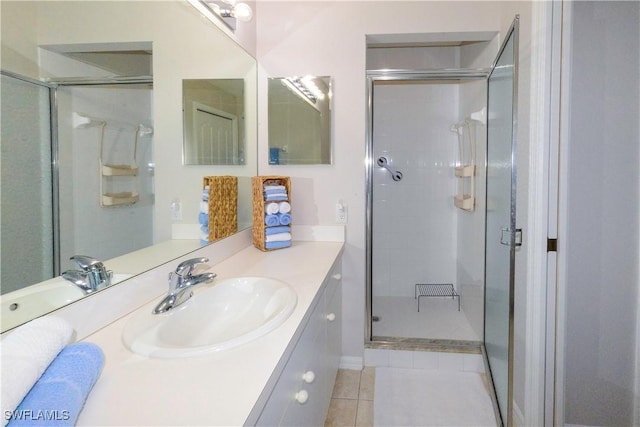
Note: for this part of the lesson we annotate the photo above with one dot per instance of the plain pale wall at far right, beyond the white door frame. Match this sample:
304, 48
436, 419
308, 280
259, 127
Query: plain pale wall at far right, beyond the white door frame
600, 222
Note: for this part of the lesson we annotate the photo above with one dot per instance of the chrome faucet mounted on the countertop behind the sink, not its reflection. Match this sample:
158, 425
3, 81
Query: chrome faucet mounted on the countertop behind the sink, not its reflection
181, 283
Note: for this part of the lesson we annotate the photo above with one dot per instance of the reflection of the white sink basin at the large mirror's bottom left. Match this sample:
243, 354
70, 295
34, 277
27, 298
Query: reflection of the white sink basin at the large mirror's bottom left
33, 301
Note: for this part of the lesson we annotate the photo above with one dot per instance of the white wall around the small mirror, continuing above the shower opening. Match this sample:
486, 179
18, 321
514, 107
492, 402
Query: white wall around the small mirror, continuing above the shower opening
328, 38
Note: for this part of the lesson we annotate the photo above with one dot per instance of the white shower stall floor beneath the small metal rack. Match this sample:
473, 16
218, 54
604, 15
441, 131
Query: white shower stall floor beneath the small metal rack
438, 318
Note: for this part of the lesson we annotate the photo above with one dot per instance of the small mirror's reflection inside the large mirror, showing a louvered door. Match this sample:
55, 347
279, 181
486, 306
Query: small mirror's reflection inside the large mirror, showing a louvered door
214, 121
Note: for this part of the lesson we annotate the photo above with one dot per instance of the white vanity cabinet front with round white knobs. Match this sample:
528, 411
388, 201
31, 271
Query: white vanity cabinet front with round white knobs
302, 393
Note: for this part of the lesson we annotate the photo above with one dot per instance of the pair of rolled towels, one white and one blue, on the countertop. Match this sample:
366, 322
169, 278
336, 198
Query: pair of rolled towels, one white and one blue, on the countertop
44, 380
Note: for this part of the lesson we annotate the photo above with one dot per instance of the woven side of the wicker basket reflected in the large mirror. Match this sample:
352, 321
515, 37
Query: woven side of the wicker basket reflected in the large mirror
223, 206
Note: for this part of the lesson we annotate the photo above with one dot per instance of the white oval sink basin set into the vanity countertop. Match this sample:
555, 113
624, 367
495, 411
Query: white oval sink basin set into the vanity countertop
230, 313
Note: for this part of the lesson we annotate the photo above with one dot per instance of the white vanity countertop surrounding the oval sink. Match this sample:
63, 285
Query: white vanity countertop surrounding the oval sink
217, 389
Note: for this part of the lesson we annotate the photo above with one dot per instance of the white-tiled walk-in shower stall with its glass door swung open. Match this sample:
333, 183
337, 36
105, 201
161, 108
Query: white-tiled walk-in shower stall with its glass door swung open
441, 179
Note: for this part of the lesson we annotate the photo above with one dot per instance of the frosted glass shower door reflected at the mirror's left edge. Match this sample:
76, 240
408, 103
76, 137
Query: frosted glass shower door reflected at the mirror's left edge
27, 201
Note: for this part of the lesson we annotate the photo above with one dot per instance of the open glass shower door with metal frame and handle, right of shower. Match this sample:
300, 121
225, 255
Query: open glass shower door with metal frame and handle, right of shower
502, 237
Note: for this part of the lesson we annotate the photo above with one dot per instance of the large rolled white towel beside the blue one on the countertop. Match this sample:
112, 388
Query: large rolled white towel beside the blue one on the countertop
26, 353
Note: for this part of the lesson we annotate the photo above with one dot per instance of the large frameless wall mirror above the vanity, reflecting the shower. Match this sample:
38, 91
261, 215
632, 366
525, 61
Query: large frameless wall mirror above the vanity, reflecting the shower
100, 172
